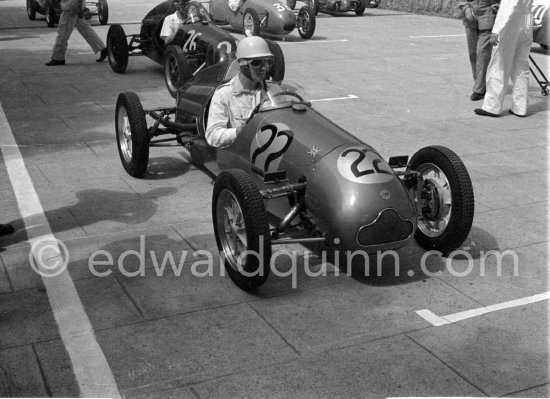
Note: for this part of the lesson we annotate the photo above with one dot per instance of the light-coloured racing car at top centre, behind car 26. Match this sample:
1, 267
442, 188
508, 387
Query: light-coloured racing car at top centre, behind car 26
257, 17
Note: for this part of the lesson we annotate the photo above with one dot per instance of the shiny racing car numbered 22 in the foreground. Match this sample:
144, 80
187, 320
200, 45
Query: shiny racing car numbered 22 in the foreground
316, 181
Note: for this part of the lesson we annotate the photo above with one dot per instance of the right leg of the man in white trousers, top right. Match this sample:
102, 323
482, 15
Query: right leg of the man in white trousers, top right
520, 74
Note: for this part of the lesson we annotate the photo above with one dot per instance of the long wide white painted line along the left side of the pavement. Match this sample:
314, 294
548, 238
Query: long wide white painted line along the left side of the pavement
90, 366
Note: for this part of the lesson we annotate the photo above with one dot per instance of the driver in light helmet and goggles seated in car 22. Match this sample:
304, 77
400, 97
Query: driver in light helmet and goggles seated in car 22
234, 101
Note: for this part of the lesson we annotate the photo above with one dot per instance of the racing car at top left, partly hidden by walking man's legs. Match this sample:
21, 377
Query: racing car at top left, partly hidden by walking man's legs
51, 9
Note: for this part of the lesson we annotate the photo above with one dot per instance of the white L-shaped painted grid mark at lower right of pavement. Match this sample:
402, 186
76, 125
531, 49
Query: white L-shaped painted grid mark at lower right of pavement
436, 320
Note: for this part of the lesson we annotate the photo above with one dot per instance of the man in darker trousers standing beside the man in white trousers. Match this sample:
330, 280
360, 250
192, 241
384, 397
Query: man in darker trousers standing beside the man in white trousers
479, 17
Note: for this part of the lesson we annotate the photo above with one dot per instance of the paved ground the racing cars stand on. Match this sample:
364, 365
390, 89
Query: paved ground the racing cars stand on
116, 325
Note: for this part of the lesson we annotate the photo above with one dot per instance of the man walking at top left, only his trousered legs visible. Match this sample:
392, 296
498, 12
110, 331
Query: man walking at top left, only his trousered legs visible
72, 15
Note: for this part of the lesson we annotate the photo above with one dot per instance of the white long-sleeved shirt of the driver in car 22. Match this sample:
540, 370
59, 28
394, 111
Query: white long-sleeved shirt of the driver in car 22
230, 108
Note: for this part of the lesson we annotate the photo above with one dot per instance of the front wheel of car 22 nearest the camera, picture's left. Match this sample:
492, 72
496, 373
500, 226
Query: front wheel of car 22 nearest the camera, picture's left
235, 192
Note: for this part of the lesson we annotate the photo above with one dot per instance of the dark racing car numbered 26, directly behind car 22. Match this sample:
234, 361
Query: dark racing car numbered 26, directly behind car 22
198, 44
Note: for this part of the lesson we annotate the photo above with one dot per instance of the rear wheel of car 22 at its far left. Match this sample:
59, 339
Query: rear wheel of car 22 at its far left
132, 134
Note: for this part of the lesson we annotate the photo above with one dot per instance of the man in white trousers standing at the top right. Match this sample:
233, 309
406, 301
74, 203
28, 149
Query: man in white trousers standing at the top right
512, 36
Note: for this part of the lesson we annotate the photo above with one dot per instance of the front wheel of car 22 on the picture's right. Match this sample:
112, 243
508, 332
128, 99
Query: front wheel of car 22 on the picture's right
447, 199
